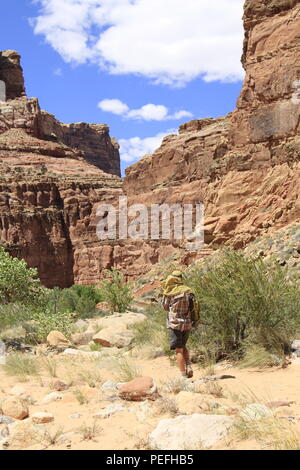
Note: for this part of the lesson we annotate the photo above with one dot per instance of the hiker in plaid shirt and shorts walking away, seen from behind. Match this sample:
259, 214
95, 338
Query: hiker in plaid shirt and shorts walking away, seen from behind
179, 301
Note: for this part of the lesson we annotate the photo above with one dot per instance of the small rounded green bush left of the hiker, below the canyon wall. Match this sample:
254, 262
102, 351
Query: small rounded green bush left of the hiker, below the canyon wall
116, 292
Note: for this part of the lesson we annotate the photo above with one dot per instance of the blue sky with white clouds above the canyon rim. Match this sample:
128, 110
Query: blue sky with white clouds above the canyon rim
141, 66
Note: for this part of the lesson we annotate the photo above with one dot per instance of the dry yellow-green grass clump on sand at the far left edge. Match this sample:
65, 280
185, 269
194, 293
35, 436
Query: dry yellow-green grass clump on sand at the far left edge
21, 365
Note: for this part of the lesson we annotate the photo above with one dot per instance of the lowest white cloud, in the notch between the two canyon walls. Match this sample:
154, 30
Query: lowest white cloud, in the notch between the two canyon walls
135, 148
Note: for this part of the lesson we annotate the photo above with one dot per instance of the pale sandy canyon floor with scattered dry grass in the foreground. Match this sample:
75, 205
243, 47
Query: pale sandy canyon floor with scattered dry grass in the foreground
128, 428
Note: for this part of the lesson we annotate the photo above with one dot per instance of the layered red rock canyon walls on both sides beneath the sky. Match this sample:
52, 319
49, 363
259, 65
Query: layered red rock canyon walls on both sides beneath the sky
244, 167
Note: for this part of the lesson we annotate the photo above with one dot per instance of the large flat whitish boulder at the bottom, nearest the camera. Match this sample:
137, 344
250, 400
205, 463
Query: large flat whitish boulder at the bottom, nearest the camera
190, 432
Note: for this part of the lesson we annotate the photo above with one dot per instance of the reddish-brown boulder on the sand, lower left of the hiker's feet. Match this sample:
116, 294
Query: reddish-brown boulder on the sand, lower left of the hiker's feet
138, 389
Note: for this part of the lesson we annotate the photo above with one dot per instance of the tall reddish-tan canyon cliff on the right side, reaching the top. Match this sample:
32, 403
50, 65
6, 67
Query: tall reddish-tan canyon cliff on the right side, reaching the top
243, 167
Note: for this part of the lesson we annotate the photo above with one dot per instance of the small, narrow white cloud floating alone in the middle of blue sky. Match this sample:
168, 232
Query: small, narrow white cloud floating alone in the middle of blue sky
148, 112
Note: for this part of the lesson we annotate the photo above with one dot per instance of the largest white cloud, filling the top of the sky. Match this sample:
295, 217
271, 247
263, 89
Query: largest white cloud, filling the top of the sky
168, 41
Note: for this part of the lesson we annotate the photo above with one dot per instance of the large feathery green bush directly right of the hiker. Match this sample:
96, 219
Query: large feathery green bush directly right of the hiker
244, 301
